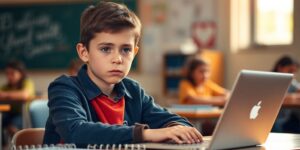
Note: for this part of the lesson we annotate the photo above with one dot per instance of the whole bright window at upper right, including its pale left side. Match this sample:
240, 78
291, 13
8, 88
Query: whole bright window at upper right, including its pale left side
256, 24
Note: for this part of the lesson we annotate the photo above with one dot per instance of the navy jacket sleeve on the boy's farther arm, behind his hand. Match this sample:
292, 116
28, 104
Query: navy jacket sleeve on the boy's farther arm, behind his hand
156, 116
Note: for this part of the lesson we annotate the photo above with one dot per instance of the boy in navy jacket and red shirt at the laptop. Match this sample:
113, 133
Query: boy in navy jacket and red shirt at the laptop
100, 105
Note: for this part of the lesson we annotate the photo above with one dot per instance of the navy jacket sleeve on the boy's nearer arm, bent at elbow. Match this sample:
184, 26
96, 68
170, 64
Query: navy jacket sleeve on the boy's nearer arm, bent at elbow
71, 119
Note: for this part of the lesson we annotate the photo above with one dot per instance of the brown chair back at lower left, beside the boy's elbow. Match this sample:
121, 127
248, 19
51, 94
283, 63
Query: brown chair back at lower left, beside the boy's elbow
29, 136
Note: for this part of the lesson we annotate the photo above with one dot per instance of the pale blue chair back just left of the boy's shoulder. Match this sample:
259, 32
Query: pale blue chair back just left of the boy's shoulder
39, 112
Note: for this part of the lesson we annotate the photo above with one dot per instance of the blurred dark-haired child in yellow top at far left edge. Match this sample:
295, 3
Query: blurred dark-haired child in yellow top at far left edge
19, 88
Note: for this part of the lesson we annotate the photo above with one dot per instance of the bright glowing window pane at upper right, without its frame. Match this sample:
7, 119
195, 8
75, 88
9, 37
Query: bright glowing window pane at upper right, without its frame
273, 22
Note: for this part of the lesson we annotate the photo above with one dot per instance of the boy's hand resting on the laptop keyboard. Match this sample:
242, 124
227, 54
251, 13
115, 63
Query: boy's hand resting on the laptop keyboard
179, 134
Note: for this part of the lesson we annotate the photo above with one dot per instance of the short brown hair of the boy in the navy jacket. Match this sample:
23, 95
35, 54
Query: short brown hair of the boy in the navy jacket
107, 17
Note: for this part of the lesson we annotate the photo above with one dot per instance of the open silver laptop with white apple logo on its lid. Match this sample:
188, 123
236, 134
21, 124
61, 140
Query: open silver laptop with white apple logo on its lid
248, 115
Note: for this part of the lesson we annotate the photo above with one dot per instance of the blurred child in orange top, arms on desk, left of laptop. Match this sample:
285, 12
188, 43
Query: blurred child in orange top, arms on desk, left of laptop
197, 88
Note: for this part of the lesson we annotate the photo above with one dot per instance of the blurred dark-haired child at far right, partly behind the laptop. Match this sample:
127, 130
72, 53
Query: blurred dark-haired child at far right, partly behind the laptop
288, 120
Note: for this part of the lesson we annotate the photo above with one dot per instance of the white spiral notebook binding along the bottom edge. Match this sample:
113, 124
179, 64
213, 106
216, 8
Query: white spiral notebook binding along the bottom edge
73, 147
